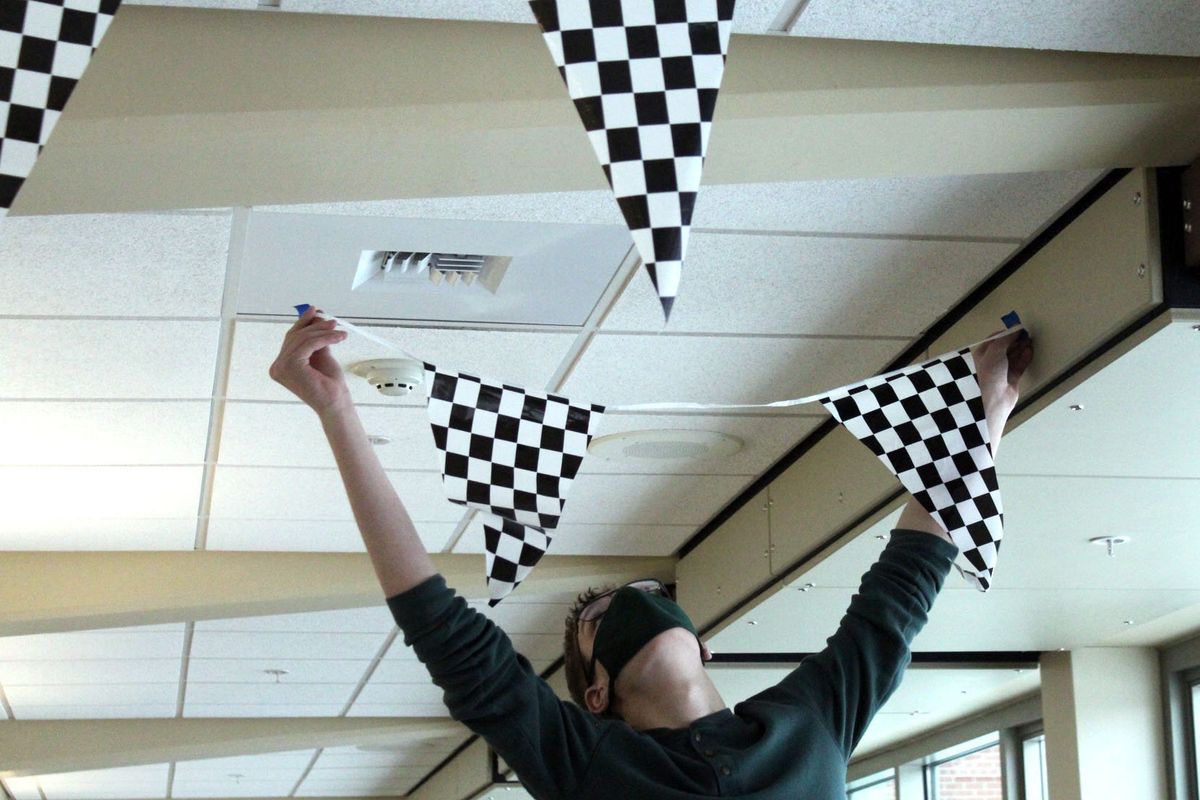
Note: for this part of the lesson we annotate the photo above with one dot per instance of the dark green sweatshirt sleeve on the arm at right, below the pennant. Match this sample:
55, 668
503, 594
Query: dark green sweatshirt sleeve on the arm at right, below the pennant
863, 663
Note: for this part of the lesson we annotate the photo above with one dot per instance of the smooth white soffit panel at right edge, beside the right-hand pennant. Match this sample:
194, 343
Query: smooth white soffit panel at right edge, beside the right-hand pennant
1132, 424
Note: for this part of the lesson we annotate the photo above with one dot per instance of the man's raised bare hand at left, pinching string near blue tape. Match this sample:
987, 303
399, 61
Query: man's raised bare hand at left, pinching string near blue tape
308, 369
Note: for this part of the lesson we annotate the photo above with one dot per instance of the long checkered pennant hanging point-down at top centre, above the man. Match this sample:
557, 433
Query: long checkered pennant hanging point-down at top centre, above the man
645, 76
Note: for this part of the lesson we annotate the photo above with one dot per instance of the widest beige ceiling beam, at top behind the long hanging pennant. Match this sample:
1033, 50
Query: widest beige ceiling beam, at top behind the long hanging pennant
189, 109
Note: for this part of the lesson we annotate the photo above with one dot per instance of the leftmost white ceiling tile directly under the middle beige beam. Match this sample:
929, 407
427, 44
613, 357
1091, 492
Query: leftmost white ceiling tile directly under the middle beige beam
86, 646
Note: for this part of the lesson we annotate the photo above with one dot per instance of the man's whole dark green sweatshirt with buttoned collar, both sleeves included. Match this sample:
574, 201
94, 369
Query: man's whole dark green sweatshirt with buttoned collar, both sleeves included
791, 741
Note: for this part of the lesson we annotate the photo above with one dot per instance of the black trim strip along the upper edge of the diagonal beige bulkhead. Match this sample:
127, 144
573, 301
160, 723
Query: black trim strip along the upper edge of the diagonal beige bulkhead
915, 352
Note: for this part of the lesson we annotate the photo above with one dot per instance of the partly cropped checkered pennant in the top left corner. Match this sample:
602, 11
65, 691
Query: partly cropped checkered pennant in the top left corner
45, 47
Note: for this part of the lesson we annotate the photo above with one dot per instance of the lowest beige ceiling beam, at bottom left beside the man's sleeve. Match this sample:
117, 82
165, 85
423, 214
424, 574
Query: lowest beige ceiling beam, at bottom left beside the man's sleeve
45, 748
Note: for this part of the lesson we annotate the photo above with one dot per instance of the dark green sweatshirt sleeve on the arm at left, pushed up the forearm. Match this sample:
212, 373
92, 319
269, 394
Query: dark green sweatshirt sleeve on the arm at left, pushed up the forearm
495, 691
